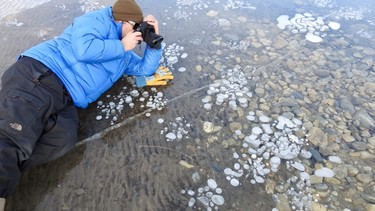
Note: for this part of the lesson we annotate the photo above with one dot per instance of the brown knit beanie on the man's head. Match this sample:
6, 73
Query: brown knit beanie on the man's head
127, 10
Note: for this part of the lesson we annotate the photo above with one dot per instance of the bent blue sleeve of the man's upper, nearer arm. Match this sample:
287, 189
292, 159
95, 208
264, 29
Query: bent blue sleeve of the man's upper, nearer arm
90, 42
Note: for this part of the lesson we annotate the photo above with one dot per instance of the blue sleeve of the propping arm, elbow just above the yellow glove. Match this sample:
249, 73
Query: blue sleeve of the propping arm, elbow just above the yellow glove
145, 66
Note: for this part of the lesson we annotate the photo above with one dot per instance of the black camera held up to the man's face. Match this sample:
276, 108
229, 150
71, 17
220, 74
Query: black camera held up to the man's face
148, 35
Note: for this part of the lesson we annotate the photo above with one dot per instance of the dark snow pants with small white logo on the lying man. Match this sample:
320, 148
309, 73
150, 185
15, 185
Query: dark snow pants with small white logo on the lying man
38, 121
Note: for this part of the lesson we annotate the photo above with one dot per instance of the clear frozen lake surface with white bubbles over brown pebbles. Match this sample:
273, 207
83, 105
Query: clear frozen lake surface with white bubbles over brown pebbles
272, 108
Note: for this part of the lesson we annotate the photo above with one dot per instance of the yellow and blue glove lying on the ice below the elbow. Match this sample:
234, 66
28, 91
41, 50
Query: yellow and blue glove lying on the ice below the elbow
160, 78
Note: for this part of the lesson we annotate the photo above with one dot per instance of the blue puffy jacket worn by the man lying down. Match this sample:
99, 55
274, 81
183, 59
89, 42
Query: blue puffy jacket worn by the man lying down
89, 57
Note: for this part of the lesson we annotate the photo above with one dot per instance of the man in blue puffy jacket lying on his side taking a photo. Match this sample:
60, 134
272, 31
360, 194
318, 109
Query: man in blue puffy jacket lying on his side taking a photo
40, 92
